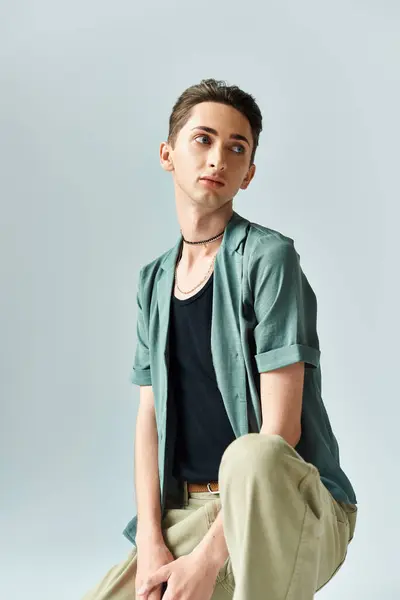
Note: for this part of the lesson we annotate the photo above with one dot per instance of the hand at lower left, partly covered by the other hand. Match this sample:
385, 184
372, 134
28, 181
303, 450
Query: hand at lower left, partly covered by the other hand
151, 555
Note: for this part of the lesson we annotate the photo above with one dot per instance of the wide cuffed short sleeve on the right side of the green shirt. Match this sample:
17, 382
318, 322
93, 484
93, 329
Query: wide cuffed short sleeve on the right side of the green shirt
285, 307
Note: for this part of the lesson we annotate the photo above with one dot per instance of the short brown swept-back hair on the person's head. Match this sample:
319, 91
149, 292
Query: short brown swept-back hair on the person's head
212, 90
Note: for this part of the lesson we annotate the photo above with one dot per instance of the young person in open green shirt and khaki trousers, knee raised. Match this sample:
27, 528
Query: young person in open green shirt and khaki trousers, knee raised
239, 487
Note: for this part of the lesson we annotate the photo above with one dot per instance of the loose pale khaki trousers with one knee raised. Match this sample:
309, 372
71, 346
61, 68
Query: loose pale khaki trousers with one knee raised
286, 535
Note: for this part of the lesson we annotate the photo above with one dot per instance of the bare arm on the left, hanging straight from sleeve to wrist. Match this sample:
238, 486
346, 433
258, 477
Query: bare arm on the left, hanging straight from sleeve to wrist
147, 481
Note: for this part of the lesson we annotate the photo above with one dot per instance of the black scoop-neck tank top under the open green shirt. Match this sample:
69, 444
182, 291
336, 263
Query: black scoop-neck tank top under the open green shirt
203, 427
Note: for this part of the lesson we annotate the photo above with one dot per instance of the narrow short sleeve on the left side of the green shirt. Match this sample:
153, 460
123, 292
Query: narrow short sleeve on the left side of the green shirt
141, 372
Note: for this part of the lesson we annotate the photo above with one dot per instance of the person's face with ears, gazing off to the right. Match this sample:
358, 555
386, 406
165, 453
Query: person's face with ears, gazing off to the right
199, 153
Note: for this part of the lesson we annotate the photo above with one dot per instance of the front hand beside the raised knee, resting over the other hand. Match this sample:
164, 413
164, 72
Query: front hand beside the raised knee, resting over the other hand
190, 577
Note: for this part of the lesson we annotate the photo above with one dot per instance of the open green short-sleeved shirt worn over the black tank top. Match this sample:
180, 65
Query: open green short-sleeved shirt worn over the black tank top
264, 316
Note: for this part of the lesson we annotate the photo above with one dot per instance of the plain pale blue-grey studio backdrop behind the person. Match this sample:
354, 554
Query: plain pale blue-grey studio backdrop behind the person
86, 92
